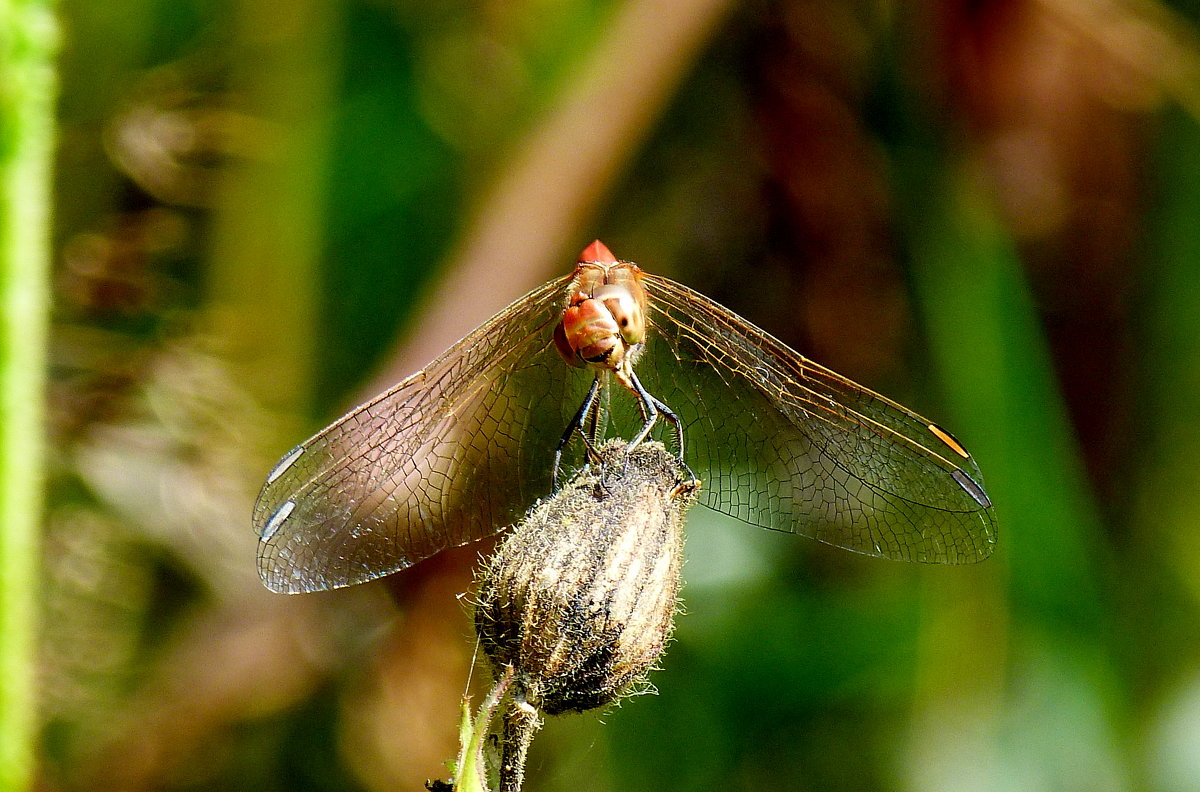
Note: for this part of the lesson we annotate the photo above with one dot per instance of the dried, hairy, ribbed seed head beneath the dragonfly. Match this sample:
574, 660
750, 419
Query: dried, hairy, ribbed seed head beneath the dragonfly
580, 598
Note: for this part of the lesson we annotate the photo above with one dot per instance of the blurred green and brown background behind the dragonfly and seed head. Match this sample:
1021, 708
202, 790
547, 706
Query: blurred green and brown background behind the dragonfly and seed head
989, 211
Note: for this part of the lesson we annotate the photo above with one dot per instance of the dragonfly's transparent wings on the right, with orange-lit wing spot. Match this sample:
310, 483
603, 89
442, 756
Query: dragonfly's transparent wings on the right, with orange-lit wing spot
784, 443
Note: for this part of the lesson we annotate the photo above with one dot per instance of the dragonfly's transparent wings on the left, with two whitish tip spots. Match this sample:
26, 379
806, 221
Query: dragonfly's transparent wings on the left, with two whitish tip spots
451, 455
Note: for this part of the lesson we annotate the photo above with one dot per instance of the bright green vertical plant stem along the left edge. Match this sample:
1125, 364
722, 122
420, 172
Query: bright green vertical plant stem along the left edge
27, 112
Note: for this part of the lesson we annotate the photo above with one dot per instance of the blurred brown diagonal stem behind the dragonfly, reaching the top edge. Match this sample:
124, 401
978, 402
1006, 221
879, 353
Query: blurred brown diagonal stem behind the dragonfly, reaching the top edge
561, 171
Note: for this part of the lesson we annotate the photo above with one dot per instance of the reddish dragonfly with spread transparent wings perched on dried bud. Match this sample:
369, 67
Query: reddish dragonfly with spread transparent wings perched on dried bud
464, 448
